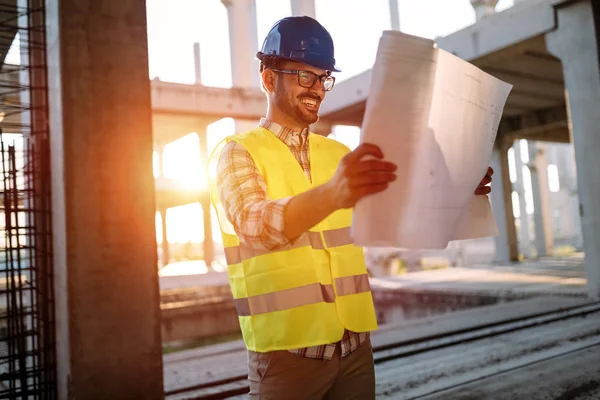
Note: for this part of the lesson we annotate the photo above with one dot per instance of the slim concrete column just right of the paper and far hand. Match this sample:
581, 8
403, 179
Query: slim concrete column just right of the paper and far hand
501, 196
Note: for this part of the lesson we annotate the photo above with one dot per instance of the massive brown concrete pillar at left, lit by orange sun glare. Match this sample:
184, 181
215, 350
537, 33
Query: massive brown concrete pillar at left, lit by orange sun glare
103, 211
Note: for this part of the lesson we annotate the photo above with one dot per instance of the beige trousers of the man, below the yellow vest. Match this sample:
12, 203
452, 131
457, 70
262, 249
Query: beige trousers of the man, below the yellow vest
281, 375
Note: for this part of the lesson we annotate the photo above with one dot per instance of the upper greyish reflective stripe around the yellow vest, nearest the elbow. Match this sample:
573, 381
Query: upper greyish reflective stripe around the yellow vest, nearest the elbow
333, 238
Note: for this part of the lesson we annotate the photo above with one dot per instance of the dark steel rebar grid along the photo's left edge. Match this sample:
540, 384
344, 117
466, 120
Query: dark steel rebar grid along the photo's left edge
27, 321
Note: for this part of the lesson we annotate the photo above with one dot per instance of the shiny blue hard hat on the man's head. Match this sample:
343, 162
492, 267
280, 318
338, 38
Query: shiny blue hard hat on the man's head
301, 39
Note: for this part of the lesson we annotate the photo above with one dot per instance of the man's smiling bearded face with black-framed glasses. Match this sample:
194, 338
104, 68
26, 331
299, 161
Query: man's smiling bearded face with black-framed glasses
299, 102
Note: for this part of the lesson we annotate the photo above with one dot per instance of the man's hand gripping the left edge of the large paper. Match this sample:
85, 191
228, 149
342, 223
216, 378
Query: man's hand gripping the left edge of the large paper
356, 178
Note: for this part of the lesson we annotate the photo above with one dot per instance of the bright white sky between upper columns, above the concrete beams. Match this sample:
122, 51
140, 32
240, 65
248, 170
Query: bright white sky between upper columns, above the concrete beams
355, 25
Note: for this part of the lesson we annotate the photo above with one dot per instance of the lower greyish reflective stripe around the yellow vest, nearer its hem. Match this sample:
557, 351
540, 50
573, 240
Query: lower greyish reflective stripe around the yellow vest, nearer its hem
301, 296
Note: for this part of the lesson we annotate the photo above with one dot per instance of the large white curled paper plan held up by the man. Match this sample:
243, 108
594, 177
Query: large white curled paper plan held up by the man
436, 116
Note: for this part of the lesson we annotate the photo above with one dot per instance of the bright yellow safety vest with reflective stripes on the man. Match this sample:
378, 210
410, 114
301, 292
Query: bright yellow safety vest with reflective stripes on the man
306, 293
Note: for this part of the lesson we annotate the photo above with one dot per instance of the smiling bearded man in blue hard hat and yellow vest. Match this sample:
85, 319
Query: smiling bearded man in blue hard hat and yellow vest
284, 198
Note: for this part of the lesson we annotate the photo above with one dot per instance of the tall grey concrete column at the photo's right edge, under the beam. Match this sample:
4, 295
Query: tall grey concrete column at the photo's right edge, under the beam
576, 42
